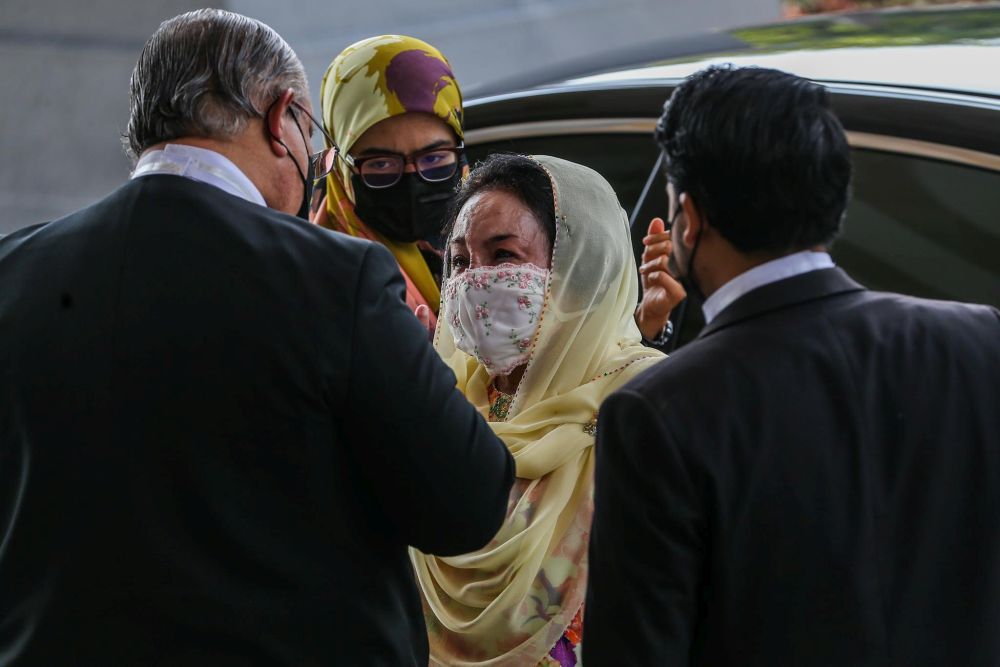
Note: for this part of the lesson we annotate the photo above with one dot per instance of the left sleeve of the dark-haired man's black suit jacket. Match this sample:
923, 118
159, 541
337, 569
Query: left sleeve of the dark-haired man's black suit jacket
646, 545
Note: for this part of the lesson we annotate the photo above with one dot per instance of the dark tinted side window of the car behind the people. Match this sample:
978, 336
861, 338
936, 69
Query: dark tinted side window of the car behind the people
914, 225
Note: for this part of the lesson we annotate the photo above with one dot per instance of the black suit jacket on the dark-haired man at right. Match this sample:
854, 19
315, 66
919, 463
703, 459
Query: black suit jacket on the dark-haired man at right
815, 480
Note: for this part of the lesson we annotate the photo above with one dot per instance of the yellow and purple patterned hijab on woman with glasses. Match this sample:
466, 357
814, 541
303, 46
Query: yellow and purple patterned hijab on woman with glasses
375, 79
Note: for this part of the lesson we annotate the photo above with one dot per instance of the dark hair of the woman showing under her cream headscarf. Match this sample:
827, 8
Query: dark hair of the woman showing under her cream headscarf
519, 175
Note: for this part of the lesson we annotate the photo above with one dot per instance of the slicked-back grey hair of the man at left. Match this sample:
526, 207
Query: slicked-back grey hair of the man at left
206, 73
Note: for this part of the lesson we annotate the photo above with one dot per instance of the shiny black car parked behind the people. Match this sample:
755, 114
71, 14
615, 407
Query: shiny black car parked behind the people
918, 92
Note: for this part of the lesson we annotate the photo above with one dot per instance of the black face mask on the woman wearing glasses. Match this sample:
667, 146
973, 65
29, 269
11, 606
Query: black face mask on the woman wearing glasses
411, 210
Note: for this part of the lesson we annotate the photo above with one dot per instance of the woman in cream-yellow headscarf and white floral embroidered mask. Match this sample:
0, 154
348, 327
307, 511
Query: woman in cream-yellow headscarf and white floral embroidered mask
537, 324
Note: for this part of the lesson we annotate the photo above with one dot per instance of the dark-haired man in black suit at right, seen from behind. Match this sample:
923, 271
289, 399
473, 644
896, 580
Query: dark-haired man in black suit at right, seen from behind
815, 480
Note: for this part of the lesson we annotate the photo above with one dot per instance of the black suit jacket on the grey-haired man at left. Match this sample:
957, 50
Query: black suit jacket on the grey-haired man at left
221, 427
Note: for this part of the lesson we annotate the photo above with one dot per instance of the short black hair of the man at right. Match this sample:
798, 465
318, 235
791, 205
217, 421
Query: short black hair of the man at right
761, 154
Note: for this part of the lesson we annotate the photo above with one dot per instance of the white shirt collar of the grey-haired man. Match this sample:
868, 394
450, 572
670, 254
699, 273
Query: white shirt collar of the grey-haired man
199, 164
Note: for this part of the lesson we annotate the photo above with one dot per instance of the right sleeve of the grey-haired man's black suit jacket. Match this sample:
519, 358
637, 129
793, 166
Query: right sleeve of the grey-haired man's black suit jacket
436, 466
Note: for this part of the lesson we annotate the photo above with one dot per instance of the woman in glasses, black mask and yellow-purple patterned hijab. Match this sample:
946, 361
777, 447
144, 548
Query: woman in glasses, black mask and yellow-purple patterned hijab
394, 109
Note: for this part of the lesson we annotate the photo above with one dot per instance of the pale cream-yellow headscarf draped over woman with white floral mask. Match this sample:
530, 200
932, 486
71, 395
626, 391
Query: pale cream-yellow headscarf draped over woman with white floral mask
508, 603
